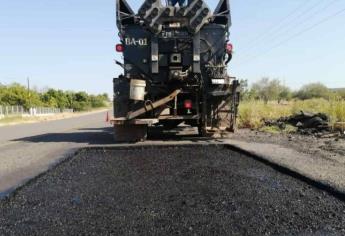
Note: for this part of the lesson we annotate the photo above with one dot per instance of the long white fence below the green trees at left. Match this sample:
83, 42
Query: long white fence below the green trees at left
35, 111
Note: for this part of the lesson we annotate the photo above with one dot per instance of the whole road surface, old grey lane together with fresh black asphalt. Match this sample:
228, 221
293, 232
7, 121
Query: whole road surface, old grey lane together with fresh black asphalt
149, 190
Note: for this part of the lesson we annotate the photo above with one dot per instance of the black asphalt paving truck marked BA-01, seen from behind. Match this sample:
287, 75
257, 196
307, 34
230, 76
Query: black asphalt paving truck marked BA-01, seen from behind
175, 63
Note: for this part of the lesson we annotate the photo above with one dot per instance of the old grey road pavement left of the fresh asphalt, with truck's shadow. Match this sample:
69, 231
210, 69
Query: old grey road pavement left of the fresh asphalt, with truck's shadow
27, 150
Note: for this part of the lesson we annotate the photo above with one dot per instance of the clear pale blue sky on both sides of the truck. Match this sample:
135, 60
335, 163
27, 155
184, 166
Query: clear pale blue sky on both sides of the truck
69, 44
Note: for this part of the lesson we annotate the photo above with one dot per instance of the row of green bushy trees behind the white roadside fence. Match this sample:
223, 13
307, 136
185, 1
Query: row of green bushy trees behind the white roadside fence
18, 95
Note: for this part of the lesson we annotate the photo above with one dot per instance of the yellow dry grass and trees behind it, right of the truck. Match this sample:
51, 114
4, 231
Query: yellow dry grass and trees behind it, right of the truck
271, 99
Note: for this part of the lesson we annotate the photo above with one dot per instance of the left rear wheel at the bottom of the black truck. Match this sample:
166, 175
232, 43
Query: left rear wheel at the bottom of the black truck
130, 133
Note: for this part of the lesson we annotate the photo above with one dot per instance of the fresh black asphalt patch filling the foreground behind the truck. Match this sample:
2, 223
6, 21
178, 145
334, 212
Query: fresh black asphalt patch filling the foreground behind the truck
194, 190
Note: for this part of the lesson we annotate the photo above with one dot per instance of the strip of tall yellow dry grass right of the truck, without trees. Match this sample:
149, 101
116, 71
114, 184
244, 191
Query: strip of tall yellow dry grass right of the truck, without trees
252, 113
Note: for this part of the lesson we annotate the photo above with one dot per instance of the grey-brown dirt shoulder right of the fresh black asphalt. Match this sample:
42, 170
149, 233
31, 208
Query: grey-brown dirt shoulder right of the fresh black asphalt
320, 159
